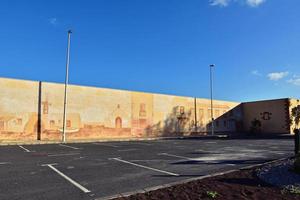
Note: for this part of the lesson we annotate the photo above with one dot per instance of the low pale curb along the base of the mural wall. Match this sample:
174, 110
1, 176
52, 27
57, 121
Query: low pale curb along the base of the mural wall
109, 140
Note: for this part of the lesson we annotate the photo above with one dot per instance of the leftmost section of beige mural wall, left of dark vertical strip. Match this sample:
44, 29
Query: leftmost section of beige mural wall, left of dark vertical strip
18, 109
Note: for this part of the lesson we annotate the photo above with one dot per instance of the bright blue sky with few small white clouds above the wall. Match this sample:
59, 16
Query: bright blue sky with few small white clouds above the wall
161, 46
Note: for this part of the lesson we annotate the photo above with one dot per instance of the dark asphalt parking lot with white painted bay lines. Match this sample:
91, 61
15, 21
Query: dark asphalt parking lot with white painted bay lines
99, 170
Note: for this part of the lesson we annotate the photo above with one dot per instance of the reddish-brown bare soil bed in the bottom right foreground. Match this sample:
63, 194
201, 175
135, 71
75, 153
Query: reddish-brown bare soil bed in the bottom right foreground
243, 184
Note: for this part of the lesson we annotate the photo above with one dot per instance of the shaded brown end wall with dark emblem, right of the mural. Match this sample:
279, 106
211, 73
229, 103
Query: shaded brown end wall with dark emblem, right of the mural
273, 115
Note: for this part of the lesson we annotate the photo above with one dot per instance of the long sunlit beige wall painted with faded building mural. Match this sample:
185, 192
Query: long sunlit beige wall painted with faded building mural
32, 110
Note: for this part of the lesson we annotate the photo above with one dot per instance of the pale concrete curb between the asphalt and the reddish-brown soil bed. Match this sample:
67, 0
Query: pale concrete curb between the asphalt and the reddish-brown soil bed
149, 189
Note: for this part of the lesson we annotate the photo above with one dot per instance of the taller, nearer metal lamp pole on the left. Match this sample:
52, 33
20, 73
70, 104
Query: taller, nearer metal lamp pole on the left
66, 87
